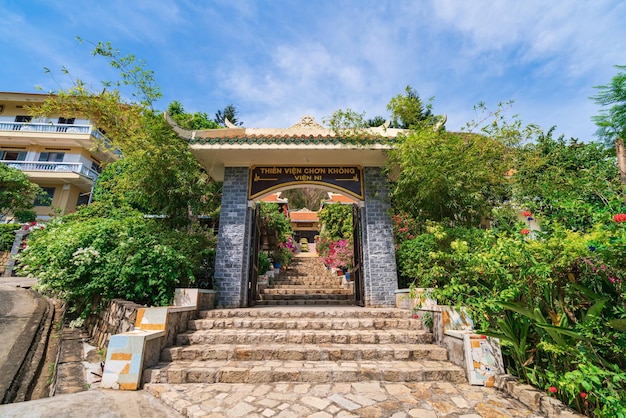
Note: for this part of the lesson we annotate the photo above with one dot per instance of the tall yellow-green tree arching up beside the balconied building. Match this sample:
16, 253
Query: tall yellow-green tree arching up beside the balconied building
158, 174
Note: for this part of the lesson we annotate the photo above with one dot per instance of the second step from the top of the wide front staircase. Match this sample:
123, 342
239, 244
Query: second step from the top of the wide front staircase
344, 323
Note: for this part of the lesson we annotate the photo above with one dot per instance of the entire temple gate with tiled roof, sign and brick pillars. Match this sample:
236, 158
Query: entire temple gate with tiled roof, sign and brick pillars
253, 162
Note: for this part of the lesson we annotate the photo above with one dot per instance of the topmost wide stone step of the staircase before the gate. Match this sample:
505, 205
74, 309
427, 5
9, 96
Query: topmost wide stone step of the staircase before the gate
307, 312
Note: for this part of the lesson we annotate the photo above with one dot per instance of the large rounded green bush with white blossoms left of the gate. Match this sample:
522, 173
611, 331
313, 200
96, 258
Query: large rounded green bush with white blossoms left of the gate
86, 259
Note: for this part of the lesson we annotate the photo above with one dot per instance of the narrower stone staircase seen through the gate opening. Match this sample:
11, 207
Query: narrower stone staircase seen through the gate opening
306, 282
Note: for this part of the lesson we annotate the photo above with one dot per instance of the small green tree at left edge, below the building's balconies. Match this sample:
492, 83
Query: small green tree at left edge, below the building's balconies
17, 192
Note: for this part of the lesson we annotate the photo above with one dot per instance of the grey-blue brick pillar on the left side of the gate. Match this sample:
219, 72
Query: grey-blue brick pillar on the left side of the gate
231, 264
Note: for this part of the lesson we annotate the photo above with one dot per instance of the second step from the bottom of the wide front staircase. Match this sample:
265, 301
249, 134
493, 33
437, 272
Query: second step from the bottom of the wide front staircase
308, 352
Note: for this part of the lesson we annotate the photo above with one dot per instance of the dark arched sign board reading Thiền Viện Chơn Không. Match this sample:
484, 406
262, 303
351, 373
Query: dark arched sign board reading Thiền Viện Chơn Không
264, 179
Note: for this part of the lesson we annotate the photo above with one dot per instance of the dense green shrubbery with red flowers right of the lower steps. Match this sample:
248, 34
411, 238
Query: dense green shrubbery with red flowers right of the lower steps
557, 302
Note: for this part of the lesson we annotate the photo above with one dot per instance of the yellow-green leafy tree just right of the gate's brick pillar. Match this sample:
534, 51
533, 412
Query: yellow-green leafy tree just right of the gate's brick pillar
446, 175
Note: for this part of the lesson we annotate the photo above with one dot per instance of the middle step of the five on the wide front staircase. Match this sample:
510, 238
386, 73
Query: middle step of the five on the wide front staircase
283, 336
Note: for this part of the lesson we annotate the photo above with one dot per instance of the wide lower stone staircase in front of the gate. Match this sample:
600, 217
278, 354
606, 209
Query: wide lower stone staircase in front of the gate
304, 344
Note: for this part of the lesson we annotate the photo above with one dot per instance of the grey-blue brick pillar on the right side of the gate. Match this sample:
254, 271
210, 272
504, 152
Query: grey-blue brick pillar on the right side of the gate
379, 259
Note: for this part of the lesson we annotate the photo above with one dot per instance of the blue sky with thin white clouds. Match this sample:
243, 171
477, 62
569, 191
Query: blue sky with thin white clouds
277, 60
